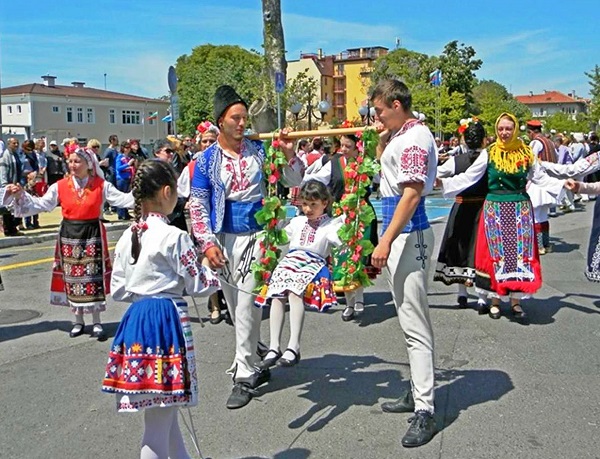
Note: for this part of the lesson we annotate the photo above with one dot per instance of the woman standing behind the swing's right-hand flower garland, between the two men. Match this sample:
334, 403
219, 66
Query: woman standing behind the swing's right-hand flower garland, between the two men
331, 170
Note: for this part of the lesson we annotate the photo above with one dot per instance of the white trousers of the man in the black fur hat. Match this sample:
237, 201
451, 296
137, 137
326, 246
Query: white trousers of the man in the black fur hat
241, 251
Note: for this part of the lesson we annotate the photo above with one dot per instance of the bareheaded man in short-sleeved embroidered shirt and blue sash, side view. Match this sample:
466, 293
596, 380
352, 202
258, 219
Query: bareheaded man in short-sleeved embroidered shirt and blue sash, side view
408, 171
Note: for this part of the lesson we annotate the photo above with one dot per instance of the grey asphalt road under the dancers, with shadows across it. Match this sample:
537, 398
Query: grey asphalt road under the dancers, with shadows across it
505, 390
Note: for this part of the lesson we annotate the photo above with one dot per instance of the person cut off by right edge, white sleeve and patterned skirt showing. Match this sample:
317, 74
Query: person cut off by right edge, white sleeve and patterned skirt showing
580, 168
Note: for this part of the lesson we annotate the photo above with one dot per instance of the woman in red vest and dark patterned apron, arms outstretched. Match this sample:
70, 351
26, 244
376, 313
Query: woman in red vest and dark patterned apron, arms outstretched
82, 267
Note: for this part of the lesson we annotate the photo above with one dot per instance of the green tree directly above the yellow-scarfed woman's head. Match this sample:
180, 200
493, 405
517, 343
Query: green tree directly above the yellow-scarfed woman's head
490, 99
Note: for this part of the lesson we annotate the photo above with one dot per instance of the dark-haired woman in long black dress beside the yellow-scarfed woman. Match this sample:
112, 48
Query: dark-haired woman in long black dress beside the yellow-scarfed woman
456, 260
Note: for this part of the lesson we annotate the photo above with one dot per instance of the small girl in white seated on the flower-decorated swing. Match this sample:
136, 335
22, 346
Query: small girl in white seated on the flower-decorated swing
302, 275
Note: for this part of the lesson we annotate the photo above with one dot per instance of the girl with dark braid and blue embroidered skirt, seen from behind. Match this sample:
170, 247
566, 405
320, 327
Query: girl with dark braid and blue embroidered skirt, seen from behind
154, 263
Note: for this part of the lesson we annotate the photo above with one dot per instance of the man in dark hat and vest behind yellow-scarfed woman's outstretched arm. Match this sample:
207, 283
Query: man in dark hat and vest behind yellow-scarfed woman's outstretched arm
542, 201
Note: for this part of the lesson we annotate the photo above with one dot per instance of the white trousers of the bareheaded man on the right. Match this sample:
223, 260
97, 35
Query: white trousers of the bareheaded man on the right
408, 271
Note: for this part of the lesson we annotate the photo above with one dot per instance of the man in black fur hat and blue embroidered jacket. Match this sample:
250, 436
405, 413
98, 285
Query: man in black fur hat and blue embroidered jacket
227, 191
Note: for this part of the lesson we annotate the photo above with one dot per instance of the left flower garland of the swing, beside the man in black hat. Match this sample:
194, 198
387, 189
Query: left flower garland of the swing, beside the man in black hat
270, 215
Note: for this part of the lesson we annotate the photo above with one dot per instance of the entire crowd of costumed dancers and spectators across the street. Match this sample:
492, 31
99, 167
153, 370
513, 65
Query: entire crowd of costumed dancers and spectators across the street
504, 189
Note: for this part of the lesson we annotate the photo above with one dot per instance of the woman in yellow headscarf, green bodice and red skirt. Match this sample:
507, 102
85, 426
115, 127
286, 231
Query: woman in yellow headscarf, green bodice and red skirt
507, 261
